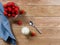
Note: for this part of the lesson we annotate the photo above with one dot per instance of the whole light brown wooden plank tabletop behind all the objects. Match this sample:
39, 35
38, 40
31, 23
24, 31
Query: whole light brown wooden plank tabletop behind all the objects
46, 16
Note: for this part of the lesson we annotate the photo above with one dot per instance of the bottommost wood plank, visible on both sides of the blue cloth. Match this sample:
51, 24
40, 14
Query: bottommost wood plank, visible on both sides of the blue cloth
36, 41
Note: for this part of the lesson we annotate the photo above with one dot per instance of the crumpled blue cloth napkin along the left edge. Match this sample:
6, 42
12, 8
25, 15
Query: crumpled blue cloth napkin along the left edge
5, 30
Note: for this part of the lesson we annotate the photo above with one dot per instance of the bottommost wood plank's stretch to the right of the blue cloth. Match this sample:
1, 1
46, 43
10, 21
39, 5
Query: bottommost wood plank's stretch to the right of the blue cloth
40, 42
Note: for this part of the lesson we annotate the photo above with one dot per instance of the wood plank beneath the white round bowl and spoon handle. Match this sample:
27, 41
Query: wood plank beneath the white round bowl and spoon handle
52, 33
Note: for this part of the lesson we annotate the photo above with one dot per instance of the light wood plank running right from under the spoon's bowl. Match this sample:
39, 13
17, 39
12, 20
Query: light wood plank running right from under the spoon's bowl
41, 21
